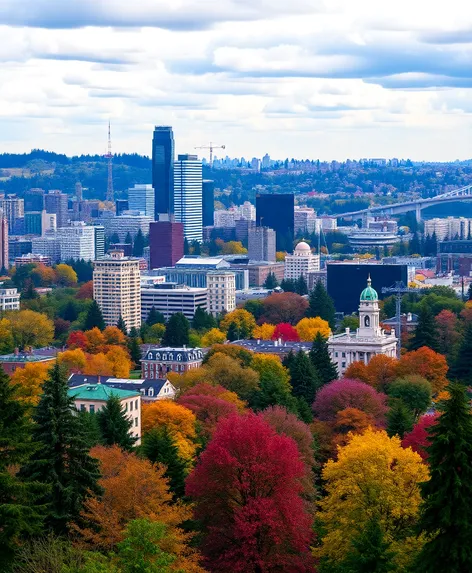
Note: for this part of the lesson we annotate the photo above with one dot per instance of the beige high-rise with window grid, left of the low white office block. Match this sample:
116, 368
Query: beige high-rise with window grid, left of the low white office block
117, 289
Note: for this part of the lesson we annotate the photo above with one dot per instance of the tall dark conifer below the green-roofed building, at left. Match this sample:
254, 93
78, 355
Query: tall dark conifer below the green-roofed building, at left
61, 459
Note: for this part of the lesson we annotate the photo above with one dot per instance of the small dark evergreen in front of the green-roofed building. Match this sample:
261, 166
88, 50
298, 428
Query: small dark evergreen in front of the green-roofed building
115, 425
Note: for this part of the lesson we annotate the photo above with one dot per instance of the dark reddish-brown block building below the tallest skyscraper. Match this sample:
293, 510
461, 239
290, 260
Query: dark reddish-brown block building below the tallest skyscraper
166, 243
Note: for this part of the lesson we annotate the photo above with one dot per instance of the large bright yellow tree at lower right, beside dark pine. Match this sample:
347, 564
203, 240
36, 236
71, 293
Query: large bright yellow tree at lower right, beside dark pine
373, 477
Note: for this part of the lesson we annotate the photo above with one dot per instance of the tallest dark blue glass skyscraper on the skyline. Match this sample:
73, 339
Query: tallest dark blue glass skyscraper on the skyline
163, 172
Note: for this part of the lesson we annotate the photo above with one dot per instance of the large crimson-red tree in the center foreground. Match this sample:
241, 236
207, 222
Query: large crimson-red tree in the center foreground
246, 487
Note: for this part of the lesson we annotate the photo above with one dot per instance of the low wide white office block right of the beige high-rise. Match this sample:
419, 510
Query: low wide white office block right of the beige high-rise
170, 298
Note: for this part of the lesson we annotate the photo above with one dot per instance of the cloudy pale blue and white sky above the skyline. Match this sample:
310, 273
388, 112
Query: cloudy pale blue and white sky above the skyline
318, 79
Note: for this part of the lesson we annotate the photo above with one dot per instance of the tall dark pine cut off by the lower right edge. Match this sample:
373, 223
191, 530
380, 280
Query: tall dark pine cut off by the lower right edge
446, 513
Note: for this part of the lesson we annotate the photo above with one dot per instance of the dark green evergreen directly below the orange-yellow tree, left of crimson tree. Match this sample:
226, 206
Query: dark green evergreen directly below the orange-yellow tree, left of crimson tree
159, 447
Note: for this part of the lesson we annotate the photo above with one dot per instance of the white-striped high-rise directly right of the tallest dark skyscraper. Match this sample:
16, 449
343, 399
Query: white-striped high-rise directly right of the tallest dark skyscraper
188, 196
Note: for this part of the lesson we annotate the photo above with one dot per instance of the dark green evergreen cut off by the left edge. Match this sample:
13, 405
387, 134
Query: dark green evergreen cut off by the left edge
20, 513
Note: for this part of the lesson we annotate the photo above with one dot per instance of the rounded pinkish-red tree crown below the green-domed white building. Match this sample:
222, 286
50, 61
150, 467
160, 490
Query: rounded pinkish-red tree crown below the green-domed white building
346, 393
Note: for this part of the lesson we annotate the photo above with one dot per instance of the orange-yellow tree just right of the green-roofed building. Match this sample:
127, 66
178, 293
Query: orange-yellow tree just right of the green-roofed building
179, 421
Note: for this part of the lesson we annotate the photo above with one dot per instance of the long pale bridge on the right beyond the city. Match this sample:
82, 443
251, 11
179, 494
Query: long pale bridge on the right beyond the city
462, 194
